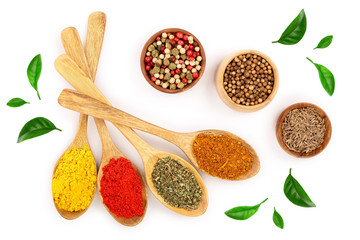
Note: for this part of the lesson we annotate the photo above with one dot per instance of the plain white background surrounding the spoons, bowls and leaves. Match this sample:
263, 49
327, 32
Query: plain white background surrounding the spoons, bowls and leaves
331, 178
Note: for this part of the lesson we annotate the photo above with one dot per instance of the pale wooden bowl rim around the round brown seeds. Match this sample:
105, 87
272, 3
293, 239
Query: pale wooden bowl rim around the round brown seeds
220, 83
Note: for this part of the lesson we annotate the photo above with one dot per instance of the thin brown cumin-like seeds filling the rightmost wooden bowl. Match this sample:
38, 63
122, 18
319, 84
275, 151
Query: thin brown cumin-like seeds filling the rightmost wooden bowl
303, 130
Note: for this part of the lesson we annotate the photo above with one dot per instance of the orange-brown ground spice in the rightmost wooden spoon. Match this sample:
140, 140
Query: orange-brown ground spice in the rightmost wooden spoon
222, 156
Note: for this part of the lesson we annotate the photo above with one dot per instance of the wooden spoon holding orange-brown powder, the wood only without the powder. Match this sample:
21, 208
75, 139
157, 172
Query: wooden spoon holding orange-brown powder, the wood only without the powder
82, 103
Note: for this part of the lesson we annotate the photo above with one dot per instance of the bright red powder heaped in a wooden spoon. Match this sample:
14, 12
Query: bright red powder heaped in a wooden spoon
121, 189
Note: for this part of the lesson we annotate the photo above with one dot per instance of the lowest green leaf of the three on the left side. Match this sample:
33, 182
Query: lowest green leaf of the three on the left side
36, 127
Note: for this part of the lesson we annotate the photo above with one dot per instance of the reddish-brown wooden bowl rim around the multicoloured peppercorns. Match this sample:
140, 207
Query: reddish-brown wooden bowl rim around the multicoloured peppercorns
147, 75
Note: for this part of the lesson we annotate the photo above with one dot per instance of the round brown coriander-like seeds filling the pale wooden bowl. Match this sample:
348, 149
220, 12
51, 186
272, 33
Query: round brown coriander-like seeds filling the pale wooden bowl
248, 79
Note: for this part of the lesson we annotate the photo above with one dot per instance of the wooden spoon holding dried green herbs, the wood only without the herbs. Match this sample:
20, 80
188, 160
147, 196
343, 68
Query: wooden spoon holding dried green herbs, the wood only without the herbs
70, 71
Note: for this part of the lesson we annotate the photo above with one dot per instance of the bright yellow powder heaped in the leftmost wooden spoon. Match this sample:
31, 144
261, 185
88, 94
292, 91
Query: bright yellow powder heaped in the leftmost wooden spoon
74, 180
